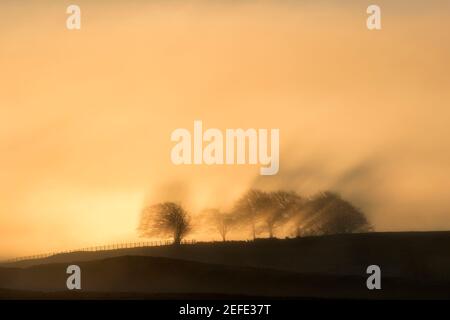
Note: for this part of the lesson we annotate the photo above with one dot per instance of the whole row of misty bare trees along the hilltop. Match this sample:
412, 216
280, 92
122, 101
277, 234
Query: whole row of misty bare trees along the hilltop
263, 213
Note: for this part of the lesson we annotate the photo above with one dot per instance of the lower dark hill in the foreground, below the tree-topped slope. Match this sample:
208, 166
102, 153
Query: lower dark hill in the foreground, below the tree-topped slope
147, 277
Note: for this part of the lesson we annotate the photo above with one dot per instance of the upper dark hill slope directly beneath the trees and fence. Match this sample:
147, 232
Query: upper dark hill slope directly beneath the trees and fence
405, 255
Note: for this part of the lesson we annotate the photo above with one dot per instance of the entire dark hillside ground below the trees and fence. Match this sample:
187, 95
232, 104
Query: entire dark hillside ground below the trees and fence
413, 265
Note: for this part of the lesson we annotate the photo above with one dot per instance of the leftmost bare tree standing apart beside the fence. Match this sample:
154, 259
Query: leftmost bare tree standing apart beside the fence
165, 219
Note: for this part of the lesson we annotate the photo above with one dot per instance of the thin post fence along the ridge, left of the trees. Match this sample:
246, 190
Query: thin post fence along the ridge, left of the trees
115, 246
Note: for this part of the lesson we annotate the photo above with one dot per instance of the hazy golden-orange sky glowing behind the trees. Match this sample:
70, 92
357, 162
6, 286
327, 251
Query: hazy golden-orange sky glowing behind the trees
86, 115
